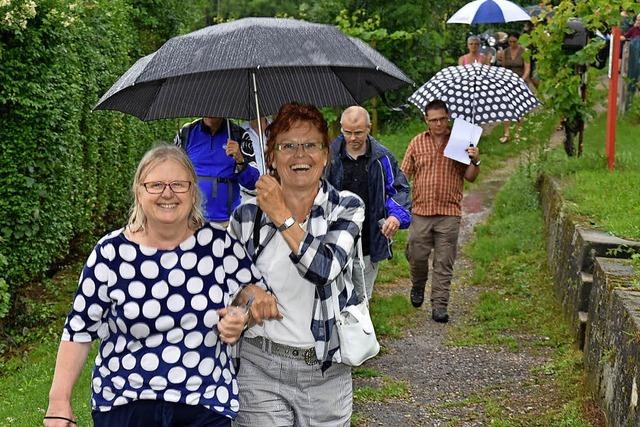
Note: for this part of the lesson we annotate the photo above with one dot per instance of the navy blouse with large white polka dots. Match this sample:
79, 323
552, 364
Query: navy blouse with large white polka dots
155, 313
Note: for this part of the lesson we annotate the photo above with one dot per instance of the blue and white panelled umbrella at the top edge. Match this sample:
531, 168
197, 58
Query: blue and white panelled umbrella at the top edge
489, 12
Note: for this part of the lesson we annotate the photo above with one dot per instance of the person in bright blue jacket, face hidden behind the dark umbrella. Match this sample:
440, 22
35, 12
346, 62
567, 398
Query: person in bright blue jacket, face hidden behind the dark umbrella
222, 162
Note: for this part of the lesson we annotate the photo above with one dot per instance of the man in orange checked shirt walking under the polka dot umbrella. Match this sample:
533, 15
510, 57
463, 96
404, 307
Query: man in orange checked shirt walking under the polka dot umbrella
437, 195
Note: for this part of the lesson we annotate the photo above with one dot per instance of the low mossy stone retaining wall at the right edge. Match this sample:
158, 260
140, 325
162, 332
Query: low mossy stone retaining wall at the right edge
594, 289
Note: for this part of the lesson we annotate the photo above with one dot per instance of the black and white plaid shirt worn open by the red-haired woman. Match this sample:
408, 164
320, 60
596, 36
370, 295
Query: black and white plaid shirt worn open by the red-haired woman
326, 254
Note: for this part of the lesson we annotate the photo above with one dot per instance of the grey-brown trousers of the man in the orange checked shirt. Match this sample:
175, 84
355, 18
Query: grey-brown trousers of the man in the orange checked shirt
440, 235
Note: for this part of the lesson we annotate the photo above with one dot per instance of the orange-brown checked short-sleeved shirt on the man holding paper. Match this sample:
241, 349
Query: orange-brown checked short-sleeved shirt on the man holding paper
437, 180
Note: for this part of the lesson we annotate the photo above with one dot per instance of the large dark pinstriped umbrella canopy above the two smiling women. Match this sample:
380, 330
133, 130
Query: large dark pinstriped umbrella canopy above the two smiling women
251, 67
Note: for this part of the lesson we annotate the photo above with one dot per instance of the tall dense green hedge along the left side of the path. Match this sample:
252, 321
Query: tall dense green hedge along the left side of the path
65, 170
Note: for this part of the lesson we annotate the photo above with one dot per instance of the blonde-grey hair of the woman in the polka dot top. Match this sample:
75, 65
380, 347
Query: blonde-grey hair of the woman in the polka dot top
161, 153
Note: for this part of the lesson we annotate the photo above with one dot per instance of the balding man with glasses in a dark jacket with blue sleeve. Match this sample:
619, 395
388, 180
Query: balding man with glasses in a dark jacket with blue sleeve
365, 167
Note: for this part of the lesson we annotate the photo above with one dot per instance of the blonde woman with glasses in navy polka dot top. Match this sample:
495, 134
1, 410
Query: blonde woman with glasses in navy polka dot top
155, 295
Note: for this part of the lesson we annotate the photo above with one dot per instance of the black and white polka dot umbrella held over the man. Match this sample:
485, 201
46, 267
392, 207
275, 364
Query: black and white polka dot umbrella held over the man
478, 93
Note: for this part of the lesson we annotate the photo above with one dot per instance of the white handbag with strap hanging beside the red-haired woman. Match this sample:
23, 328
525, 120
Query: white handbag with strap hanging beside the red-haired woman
358, 342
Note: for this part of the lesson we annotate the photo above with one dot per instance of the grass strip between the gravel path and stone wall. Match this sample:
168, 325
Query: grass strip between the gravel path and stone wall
517, 308
